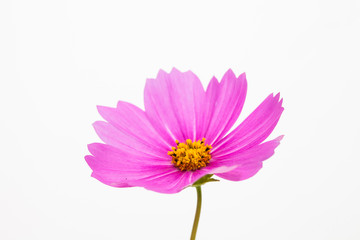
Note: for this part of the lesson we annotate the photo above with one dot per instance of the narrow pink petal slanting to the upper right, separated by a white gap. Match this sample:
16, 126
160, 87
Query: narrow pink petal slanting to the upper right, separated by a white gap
253, 130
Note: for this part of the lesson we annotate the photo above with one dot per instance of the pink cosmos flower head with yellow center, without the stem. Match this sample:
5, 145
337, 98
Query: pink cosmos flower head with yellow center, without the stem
182, 134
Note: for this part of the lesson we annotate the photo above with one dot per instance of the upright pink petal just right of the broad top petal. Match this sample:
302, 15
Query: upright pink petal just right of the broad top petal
224, 104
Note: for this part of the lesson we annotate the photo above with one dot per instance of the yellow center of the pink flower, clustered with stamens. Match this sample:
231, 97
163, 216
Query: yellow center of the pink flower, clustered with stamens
190, 156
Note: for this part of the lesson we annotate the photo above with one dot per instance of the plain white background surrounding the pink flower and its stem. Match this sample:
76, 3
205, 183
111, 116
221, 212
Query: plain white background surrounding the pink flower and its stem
59, 59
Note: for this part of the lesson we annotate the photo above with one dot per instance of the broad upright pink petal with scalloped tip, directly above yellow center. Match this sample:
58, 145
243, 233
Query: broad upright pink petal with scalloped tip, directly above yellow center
173, 104
